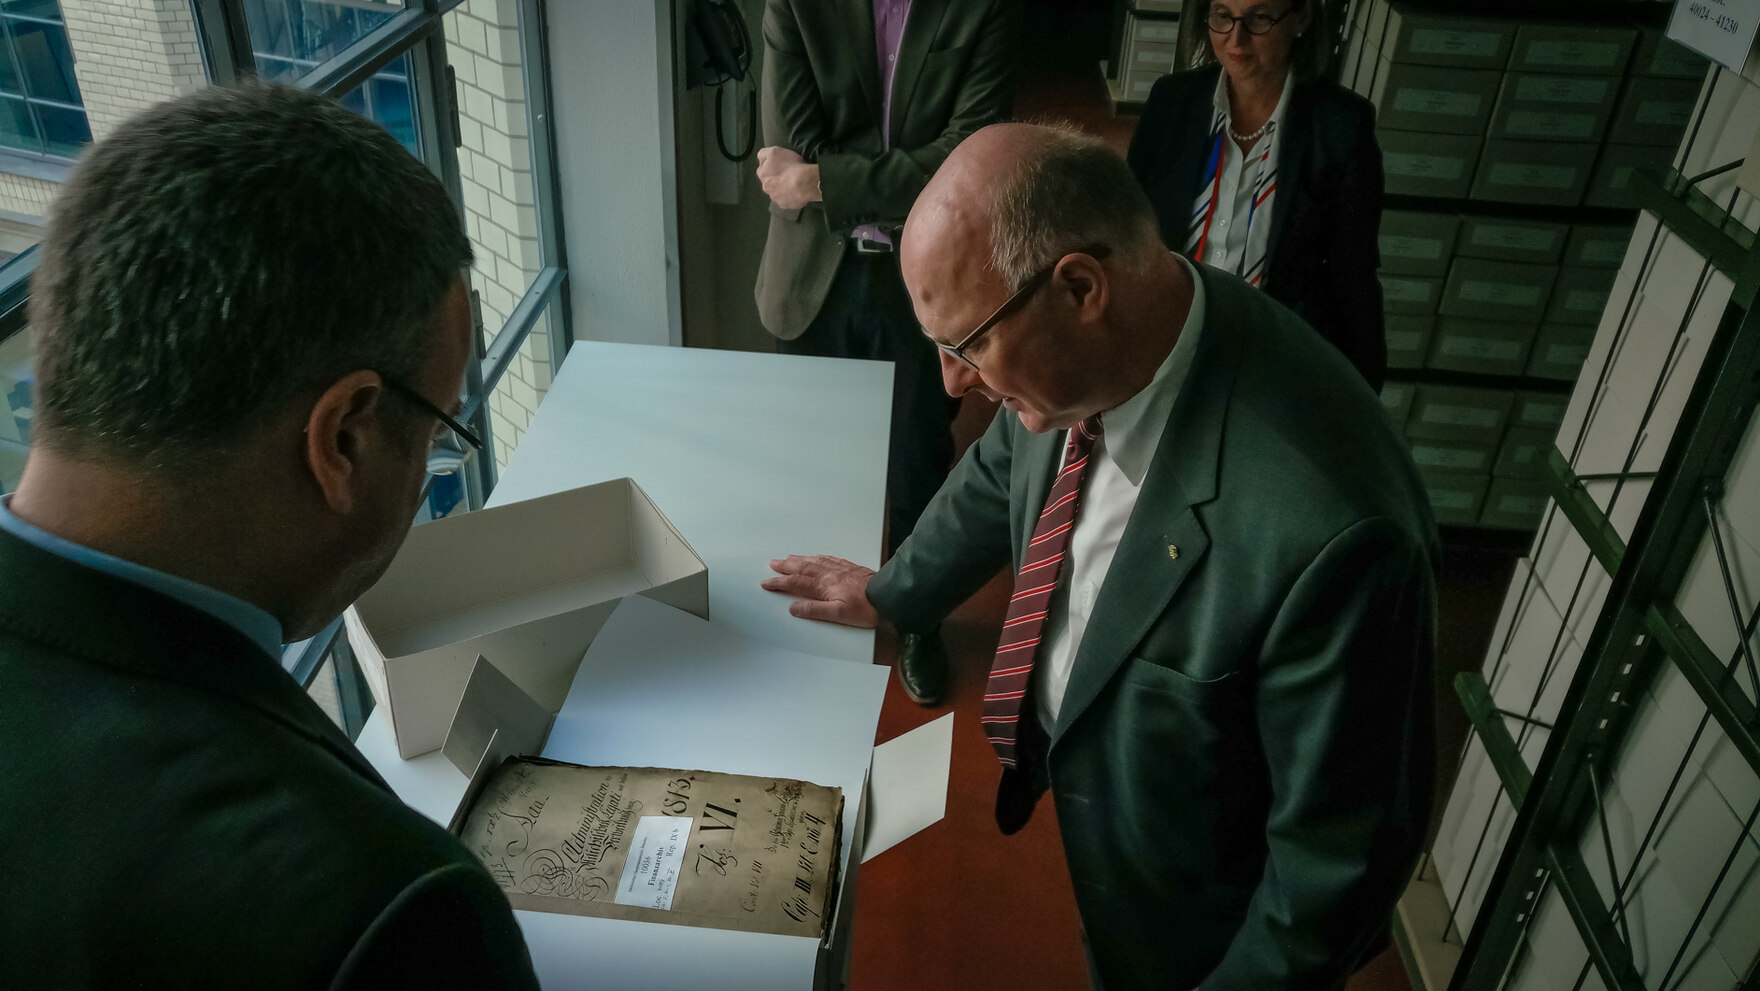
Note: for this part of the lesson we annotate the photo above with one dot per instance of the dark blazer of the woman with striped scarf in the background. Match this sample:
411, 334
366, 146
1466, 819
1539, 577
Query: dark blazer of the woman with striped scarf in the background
1326, 217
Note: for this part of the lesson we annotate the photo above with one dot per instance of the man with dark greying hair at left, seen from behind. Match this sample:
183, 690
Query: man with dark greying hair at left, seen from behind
251, 328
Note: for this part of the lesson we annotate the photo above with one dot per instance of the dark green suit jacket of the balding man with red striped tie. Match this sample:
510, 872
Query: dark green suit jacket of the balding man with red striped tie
1242, 765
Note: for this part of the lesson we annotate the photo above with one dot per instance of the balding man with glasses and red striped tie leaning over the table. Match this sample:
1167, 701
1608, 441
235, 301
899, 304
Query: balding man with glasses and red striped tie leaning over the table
1219, 654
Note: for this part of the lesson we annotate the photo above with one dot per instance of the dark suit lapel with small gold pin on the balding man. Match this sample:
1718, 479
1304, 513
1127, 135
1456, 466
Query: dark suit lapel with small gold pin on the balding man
1164, 540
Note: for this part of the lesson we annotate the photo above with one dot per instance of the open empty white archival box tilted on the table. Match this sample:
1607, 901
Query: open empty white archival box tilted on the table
545, 575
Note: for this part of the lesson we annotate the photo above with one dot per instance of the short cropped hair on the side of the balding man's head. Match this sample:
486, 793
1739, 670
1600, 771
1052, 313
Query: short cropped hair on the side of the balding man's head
1064, 196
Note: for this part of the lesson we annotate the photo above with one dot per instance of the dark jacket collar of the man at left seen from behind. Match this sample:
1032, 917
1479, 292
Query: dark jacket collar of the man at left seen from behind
117, 624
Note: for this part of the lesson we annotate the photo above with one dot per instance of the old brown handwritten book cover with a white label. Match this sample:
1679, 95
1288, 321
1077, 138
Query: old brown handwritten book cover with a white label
656, 846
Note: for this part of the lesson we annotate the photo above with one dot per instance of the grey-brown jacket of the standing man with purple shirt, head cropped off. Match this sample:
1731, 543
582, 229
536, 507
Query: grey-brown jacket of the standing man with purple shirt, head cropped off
823, 101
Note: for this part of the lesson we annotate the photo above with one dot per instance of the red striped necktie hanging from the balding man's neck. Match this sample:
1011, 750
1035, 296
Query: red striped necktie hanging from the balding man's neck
1034, 585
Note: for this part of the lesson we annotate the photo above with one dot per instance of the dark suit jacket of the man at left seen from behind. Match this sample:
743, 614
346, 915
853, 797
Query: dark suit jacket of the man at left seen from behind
177, 814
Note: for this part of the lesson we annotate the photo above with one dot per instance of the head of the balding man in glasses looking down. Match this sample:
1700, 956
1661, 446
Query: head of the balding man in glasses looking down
1041, 240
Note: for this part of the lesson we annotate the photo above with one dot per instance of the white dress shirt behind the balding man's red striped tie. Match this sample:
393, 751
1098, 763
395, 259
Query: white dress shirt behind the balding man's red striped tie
1117, 467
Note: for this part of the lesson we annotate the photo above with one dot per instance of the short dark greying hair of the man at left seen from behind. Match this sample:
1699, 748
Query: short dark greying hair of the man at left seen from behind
224, 254
